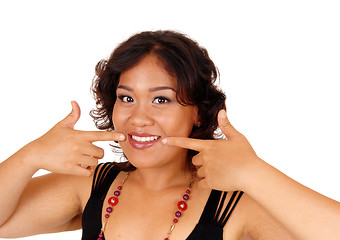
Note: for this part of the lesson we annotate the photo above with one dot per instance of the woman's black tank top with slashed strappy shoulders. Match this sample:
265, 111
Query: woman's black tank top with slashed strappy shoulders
208, 227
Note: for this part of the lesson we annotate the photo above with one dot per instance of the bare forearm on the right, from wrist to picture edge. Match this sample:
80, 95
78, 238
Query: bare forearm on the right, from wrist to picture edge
304, 212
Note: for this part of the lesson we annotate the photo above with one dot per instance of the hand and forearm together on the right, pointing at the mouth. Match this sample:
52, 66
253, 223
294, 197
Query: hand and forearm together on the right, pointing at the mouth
232, 164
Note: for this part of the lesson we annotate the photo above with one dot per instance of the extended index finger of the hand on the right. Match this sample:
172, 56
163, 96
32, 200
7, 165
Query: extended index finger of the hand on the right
183, 142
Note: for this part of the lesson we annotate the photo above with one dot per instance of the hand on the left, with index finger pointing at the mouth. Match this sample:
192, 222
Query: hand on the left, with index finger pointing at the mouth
67, 151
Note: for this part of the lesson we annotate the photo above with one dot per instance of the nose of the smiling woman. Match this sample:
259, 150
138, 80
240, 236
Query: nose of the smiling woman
141, 116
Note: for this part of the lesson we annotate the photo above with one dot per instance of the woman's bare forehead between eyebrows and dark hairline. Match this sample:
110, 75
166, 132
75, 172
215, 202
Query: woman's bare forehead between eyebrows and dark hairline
147, 73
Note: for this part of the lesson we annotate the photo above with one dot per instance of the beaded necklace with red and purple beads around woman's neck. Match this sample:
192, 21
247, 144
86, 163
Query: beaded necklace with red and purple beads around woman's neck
113, 201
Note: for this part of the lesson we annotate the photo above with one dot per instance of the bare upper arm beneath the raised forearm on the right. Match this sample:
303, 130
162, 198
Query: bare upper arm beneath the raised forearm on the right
256, 222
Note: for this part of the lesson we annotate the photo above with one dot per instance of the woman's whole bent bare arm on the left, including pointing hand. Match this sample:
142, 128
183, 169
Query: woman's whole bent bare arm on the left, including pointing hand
52, 202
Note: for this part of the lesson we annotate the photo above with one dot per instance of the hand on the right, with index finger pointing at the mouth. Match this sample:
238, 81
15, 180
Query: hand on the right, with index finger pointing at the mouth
222, 164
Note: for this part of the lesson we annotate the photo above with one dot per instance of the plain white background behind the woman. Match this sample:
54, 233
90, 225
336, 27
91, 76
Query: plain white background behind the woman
279, 63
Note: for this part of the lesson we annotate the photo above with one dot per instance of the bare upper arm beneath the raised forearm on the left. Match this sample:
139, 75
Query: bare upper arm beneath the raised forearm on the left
49, 203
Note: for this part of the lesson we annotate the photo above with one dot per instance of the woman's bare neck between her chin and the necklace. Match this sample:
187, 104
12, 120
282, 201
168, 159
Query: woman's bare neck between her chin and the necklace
162, 177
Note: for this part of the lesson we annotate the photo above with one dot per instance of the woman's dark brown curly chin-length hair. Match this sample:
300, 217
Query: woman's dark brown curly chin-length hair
183, 58
